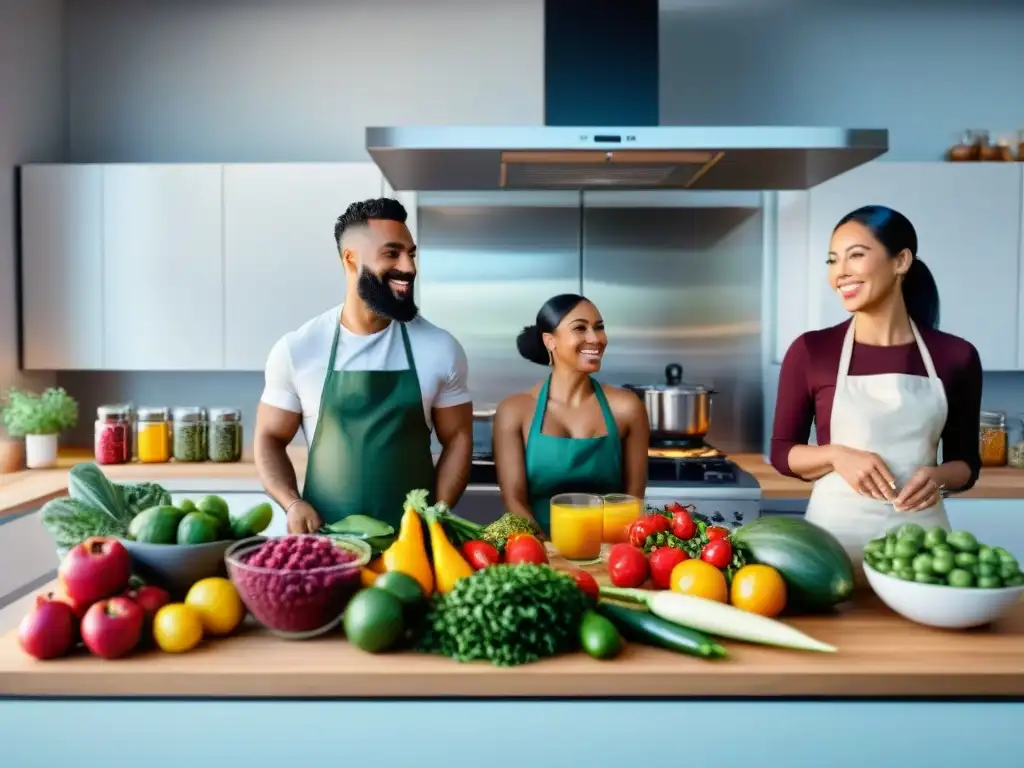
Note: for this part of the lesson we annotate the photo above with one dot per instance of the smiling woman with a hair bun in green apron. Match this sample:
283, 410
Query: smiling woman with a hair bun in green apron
569, 434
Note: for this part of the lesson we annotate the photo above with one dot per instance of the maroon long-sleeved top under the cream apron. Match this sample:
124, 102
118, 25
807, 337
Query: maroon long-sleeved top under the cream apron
807, 386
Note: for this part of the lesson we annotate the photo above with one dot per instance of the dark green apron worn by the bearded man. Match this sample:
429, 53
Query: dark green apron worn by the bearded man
372, 444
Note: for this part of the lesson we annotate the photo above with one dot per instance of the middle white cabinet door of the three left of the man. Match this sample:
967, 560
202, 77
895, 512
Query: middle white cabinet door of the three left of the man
163, 268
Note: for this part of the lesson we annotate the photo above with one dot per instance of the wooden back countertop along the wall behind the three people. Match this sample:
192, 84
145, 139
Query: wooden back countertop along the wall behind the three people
30, 489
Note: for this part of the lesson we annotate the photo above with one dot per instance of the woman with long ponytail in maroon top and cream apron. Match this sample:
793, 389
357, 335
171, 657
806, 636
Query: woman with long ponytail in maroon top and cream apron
884, 390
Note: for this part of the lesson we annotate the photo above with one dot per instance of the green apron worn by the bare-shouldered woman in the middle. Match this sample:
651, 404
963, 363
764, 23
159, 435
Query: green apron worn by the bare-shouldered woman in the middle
571, 465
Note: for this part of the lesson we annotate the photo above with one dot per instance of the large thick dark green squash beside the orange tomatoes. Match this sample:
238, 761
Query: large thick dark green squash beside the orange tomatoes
819, 573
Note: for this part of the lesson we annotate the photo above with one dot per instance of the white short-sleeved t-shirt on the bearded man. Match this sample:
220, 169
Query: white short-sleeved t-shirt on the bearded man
296, 367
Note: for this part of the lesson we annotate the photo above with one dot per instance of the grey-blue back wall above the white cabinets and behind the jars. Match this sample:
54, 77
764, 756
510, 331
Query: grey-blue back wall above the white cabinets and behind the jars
270, 80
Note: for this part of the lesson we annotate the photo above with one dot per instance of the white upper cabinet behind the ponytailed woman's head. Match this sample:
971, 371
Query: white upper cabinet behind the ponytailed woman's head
968, 218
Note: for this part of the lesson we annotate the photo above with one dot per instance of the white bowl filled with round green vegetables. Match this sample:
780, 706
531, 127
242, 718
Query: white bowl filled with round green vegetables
943, 579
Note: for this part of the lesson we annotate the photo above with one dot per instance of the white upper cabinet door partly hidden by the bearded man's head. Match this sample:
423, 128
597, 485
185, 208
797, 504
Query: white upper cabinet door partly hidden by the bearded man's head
282, 266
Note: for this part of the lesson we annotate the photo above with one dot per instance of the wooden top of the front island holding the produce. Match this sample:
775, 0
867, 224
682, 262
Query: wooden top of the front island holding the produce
880, 656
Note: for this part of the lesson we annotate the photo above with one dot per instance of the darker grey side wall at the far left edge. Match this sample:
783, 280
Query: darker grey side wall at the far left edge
33, 129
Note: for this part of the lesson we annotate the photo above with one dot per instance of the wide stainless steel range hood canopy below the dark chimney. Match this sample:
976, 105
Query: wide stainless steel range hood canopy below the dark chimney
556, 158
